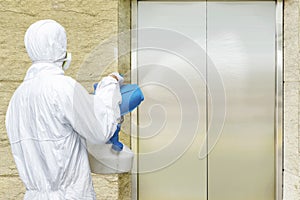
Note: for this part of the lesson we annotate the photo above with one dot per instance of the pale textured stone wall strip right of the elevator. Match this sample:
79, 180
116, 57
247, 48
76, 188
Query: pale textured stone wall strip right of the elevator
291, 181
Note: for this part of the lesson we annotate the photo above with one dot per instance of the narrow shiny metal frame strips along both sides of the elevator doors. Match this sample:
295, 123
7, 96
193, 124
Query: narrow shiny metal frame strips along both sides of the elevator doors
278, 99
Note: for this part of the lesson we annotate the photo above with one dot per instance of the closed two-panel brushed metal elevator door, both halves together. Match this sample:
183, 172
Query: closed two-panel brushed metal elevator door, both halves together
206, 127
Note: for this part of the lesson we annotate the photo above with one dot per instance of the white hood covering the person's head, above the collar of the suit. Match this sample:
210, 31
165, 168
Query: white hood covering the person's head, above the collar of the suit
46, 41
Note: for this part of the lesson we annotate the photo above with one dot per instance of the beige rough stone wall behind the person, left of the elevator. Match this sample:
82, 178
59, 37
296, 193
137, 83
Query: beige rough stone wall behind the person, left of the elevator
88, 23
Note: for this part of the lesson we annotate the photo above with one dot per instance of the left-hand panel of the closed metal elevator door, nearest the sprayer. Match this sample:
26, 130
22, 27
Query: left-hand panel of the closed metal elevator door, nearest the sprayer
172, 119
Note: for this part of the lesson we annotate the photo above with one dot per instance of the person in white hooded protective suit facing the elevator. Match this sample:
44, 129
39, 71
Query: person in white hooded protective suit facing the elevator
50, 118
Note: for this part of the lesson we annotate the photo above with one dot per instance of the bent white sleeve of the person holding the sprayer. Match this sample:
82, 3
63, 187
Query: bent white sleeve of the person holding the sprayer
95, 117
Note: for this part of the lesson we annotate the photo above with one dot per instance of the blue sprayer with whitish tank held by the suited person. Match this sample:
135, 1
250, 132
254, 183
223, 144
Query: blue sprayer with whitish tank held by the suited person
116, 158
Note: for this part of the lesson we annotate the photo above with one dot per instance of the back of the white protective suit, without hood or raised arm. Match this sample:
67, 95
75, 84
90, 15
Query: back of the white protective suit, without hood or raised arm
50, 156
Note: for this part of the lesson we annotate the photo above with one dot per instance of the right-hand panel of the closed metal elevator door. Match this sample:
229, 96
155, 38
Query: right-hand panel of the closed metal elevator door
241, 44
